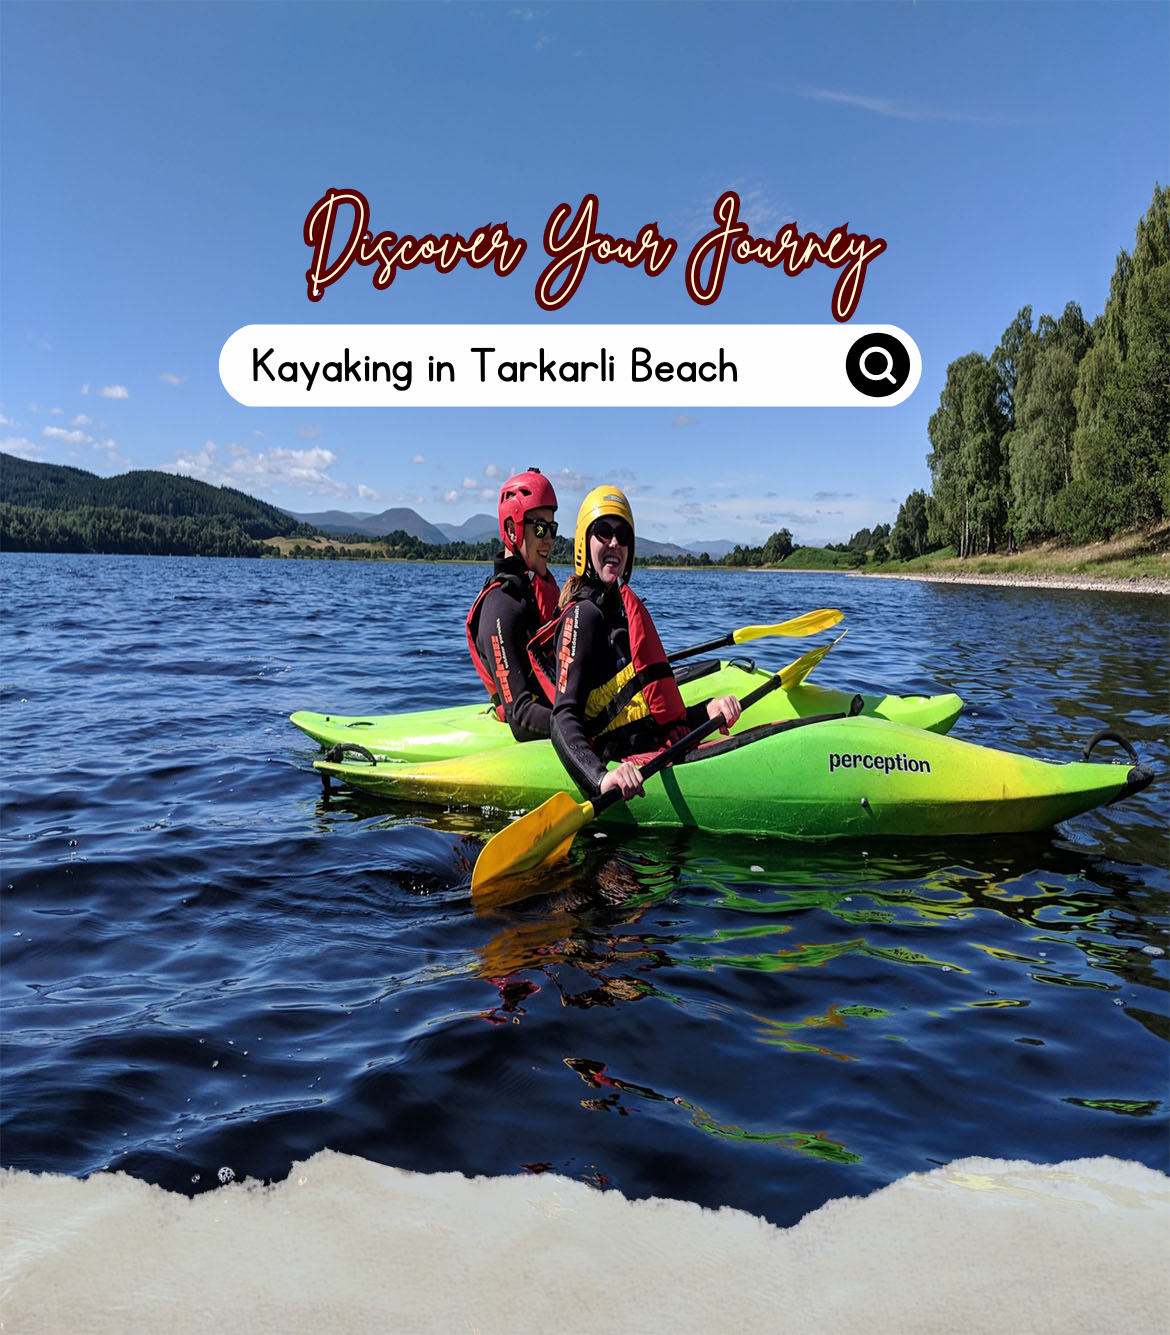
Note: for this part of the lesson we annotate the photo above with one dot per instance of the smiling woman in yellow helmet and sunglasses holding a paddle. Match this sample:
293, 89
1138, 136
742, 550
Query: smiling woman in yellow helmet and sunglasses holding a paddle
603, 664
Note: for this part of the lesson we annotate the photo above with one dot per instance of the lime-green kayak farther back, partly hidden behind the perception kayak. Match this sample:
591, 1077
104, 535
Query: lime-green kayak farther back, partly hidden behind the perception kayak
464, 730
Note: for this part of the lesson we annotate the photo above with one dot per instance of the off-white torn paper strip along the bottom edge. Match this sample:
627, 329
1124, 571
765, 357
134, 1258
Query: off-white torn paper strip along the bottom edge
347, 1245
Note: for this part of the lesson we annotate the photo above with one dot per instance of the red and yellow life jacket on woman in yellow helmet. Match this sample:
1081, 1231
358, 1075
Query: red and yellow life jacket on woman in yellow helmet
646, 686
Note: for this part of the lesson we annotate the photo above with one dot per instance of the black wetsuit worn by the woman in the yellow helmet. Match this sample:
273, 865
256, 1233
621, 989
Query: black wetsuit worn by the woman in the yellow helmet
602, 635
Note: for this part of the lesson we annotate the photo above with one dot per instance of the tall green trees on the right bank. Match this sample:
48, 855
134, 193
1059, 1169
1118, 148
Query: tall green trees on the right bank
1064, 432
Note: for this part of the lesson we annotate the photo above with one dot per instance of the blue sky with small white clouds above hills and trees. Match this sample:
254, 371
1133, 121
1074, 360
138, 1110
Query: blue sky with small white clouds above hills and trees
160, 161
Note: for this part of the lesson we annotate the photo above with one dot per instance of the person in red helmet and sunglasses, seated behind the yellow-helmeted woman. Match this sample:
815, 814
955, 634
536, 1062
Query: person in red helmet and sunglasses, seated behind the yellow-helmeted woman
518, 599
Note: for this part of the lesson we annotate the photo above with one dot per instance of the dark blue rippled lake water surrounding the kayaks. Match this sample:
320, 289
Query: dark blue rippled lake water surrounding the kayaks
208, 969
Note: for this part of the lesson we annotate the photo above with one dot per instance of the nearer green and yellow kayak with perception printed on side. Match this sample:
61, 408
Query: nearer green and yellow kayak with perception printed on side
810, 779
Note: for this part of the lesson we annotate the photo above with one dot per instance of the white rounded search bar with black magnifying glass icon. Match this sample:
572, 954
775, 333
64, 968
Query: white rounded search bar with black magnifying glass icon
570, 365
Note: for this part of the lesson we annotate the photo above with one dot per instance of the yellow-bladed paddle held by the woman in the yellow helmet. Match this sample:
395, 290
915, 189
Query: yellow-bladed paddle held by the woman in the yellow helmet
547, 834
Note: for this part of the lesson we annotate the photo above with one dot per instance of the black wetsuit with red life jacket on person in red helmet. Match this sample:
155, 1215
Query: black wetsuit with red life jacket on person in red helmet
508, 620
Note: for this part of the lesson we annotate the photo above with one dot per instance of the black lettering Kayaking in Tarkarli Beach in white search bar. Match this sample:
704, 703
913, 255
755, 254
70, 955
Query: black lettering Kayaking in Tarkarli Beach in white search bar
349, 369
